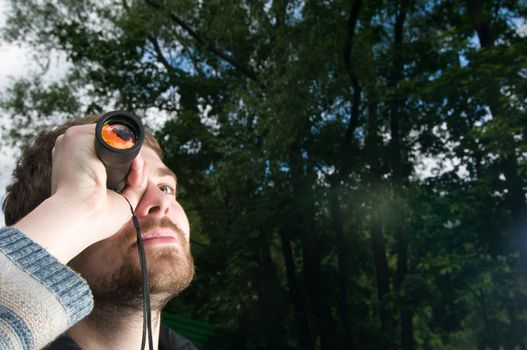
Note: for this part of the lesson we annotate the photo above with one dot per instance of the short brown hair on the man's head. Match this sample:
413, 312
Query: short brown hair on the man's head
31, 179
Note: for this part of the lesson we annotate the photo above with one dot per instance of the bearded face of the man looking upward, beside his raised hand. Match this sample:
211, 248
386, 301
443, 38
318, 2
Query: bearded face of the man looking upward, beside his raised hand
112, 267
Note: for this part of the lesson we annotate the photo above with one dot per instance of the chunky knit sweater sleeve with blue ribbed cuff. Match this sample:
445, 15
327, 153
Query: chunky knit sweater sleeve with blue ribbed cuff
40, 298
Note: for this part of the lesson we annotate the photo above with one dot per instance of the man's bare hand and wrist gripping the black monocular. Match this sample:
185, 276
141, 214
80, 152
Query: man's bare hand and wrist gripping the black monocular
81, 210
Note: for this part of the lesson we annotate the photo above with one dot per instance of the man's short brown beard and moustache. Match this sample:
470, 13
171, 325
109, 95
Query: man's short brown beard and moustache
170, 270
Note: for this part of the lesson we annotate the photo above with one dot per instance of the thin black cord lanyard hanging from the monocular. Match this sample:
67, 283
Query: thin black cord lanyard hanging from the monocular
147, 312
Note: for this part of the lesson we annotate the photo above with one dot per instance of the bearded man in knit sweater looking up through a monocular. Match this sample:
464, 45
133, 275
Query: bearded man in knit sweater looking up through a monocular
59, 200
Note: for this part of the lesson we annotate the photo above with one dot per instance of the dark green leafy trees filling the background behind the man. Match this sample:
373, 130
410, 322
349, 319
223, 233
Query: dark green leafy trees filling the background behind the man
299, 162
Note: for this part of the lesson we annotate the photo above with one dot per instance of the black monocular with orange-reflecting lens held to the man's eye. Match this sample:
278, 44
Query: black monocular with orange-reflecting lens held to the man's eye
119, 136
